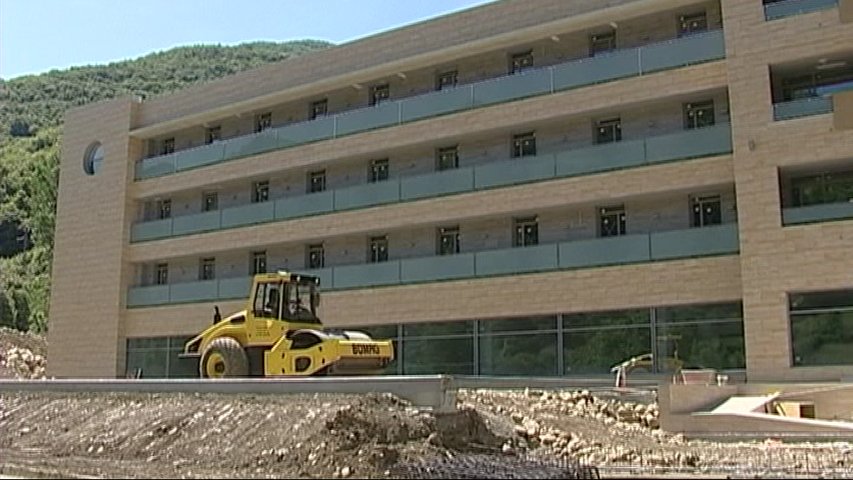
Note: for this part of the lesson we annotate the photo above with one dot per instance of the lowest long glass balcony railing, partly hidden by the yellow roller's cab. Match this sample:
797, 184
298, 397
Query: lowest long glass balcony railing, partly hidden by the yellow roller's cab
622, 250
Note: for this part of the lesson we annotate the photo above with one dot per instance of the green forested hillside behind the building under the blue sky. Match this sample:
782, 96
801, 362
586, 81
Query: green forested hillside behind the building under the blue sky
31, 112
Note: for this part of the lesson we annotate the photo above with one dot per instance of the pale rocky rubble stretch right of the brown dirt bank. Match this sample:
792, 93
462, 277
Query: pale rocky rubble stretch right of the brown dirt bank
624, 436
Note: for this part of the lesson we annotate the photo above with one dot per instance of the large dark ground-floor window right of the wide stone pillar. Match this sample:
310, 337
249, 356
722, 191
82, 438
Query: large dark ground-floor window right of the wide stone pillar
821, 328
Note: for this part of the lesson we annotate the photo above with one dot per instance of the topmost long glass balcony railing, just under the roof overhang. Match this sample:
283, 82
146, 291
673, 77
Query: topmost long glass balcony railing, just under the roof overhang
675, 53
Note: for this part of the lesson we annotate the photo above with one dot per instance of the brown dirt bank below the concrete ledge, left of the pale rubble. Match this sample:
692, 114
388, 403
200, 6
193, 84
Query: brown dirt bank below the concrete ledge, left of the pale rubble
214, 436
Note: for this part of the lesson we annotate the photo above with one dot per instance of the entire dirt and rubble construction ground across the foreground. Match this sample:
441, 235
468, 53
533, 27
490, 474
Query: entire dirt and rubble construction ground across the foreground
124, 435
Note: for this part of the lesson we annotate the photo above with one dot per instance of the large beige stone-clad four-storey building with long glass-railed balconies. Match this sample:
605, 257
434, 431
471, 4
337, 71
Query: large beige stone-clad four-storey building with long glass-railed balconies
523, 188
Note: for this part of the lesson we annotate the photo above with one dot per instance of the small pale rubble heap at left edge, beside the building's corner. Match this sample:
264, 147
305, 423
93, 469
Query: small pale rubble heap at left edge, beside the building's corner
22, 355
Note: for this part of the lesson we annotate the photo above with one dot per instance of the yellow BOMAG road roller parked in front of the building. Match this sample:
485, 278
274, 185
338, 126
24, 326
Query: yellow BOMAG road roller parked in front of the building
279, 334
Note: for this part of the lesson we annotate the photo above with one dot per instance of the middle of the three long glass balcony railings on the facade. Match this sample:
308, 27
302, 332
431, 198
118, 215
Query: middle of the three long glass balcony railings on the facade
714, 140
